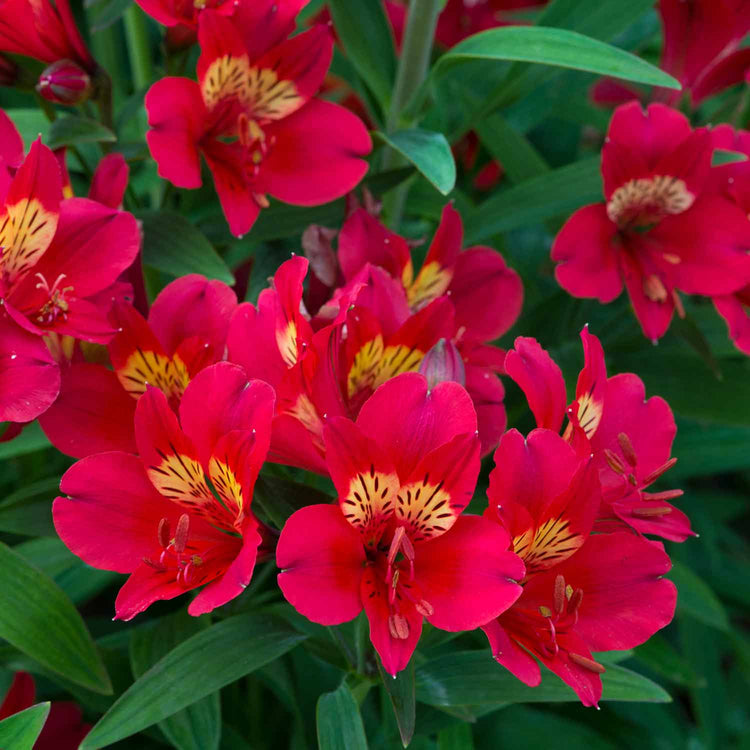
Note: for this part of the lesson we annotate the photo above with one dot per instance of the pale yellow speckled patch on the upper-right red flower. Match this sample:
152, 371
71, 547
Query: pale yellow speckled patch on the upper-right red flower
646, 200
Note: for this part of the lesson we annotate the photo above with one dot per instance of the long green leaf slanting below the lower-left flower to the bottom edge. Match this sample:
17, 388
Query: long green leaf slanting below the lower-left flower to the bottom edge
196, 668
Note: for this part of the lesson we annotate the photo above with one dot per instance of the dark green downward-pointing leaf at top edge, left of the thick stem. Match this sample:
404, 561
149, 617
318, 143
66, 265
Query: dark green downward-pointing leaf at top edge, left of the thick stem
365, 33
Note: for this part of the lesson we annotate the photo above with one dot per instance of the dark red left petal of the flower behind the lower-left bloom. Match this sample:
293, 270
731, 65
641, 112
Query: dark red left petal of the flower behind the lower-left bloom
93, 413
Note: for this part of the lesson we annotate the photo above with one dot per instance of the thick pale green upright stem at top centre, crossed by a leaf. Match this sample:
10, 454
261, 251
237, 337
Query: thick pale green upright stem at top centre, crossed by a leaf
412, 71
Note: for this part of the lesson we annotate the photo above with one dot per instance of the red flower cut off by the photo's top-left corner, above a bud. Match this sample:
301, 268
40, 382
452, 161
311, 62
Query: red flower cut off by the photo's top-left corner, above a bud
43, 30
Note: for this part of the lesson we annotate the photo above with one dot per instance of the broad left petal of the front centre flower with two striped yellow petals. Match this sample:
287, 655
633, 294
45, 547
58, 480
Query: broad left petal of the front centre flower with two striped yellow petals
321, 559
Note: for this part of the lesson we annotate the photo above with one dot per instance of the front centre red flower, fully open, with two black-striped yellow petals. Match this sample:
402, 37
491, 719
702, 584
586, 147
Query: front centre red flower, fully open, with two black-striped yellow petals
396, 544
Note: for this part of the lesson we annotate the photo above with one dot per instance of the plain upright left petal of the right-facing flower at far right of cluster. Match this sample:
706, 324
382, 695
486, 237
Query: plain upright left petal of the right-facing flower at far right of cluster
539, 377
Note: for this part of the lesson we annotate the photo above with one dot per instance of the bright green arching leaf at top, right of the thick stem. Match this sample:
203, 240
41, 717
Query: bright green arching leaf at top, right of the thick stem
559, 47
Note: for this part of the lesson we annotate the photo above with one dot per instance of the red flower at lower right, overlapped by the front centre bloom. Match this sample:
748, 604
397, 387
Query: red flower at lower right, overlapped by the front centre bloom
581, 593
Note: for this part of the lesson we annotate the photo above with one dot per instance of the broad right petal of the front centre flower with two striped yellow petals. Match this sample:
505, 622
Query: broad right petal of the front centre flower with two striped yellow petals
467, 575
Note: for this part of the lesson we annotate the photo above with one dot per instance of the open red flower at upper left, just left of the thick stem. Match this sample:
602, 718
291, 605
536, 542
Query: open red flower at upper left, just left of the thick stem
253, 117
